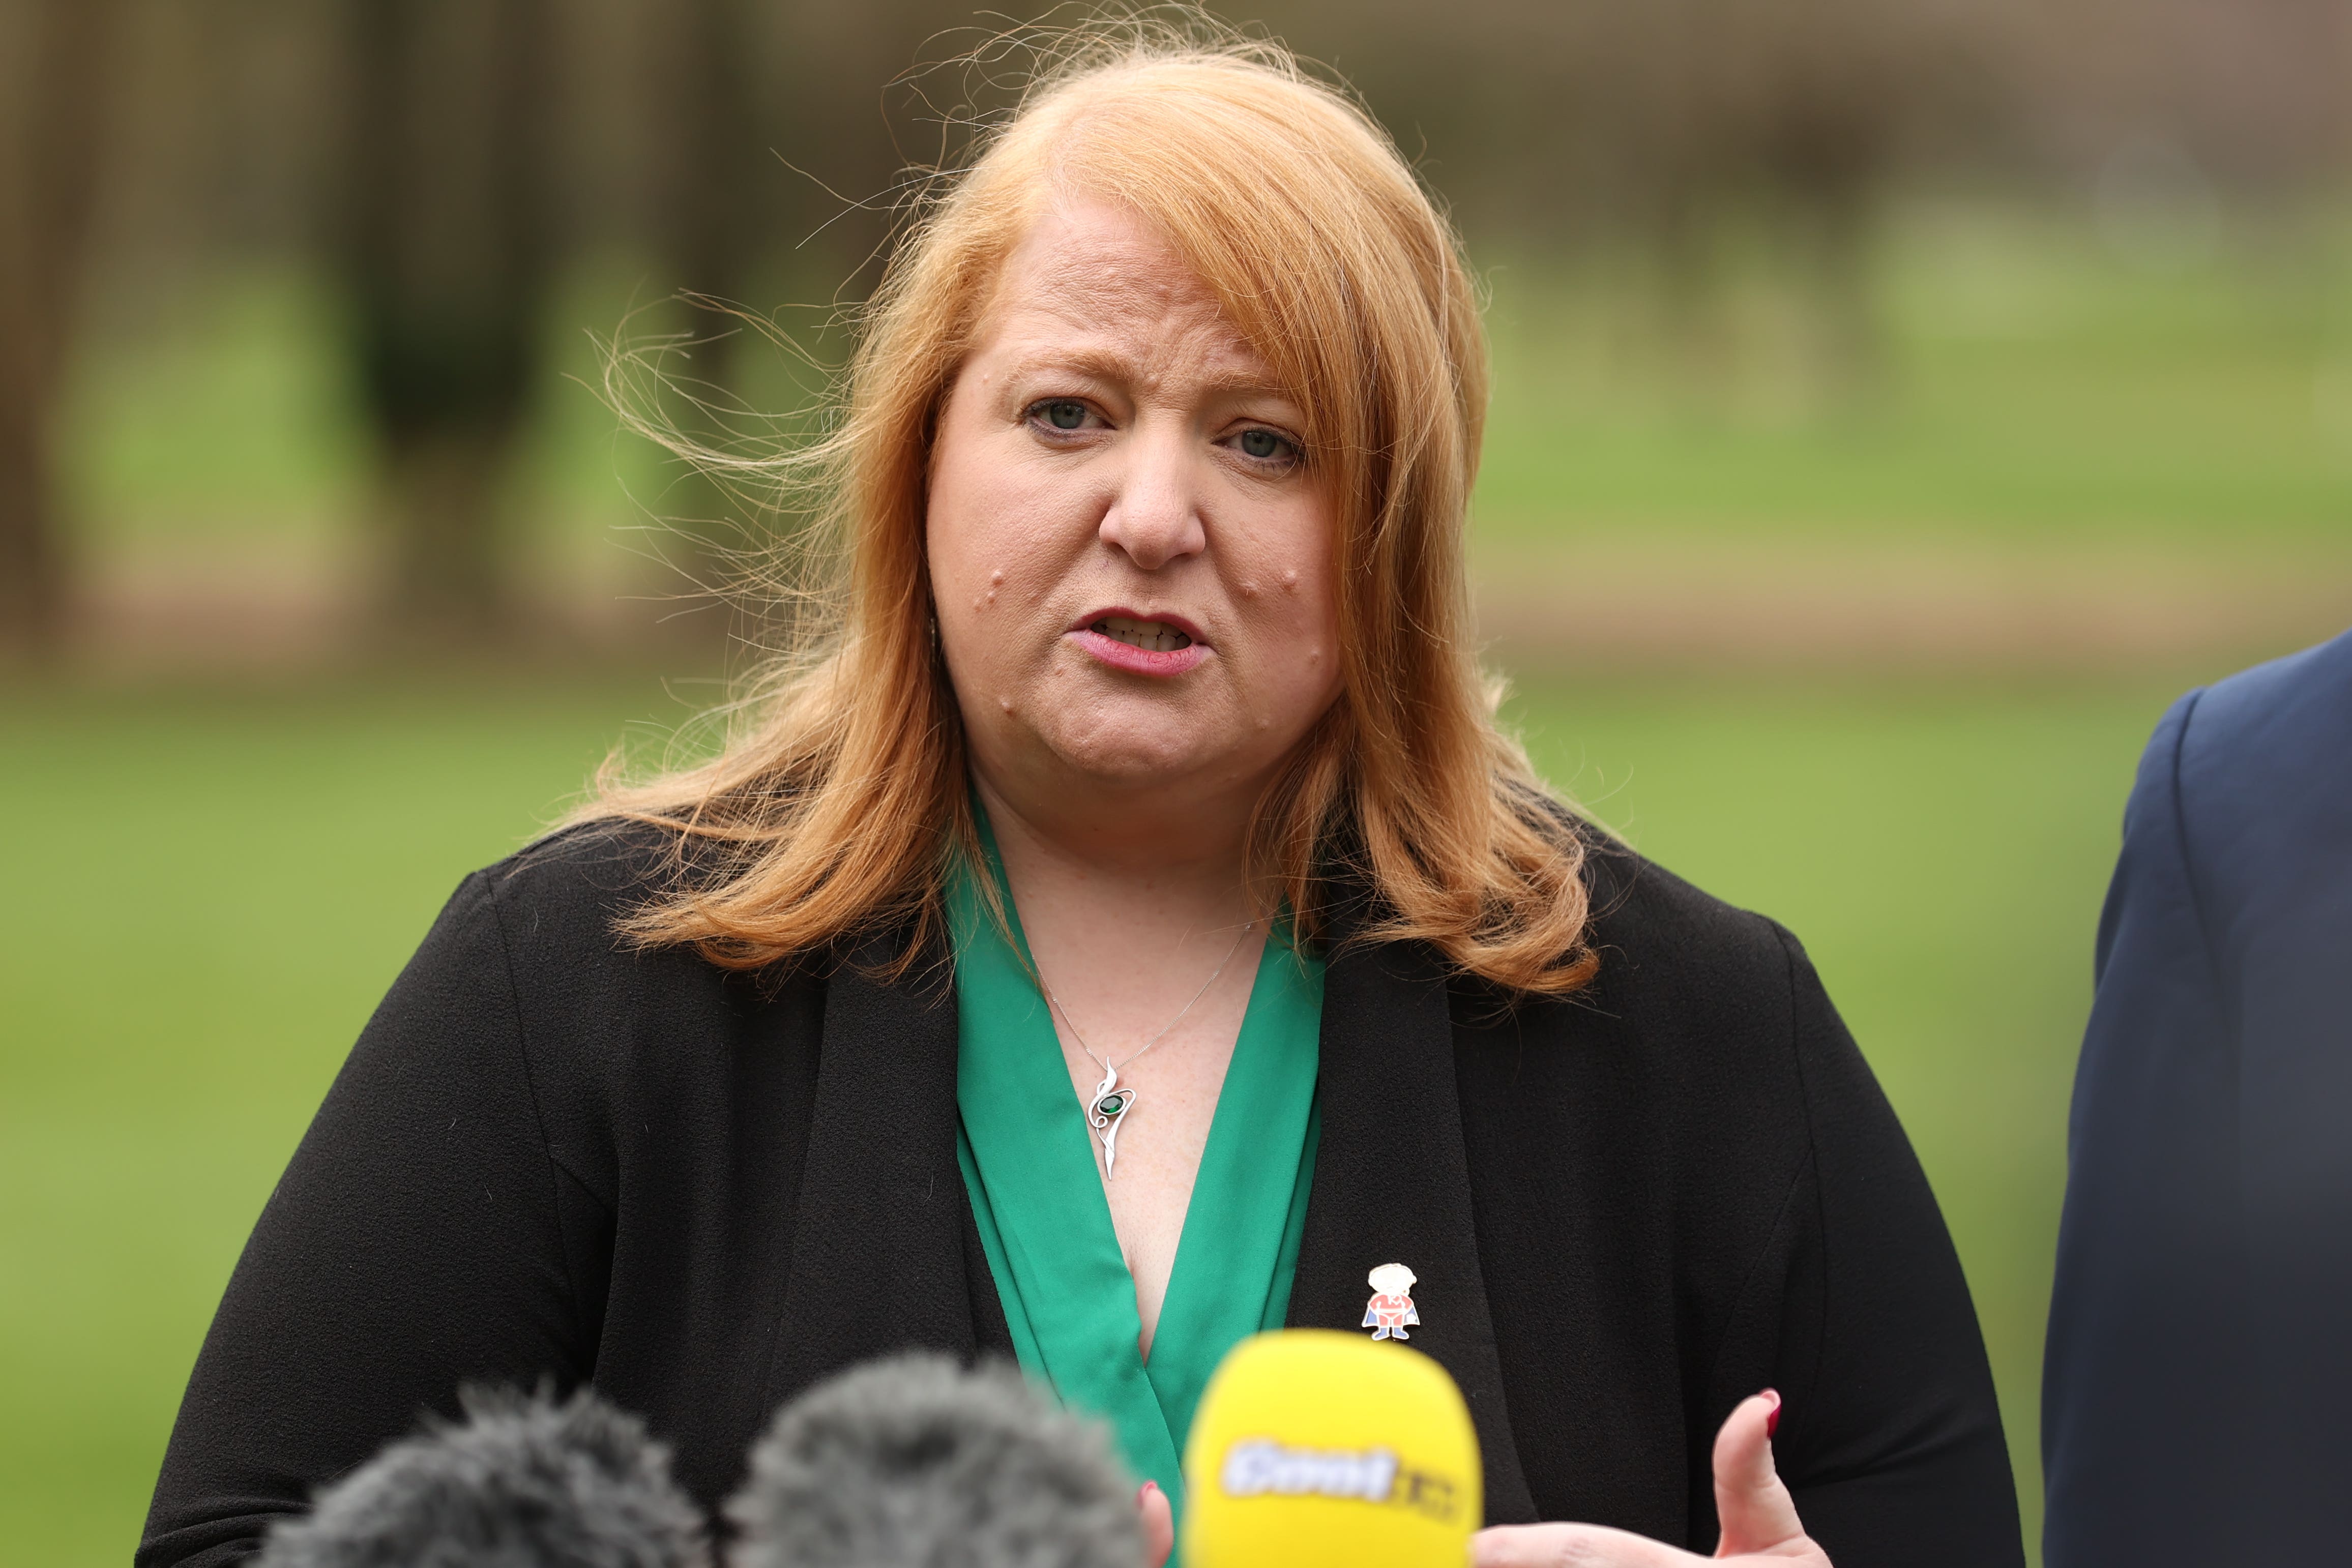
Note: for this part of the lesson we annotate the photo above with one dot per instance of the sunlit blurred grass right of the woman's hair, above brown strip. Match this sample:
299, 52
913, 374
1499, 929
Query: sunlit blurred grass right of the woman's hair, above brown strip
2033, 391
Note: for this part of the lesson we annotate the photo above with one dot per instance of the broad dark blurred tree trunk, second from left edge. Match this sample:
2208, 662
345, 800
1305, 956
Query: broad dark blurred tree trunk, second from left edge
448, 260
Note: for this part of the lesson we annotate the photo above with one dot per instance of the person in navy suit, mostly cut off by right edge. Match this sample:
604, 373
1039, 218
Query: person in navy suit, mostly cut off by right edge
2198, 1376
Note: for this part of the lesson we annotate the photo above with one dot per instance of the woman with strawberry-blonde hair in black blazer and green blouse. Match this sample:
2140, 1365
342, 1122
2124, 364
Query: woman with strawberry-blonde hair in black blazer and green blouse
1128, 930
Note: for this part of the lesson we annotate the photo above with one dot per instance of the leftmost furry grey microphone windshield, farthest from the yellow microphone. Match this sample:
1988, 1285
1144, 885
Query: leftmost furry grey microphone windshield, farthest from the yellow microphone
523, 1482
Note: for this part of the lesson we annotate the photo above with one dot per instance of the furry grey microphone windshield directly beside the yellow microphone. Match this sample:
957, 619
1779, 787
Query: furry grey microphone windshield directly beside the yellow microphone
918, 1463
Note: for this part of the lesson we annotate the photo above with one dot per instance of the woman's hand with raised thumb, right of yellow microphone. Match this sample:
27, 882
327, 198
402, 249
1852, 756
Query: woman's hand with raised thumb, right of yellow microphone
1760, 1517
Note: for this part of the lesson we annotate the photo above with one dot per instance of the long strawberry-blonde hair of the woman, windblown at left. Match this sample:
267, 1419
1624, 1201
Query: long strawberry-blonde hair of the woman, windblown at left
834, 810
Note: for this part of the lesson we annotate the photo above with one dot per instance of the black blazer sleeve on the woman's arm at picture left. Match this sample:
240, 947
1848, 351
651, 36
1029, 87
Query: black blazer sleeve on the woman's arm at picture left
420, 1228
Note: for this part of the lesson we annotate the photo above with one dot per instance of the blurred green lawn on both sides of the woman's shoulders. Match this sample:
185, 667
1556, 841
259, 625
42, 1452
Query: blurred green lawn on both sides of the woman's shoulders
213, 890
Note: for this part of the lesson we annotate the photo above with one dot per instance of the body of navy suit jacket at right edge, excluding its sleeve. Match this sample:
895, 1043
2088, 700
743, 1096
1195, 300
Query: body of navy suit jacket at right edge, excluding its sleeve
2266, 803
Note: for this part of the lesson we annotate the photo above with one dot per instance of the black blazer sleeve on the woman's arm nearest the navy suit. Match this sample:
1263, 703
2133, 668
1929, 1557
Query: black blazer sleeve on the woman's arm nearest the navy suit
1892, 1435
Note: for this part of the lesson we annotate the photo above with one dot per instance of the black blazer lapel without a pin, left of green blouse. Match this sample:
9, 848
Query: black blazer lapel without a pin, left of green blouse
881, 1231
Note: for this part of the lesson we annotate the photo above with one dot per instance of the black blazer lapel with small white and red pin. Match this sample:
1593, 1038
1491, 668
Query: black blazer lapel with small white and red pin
1394, 1186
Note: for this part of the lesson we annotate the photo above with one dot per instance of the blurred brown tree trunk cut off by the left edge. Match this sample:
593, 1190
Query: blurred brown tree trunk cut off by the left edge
48, 187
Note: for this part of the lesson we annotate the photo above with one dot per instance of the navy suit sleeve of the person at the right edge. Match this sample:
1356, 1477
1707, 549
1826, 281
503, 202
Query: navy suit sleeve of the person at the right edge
2144, 1358
